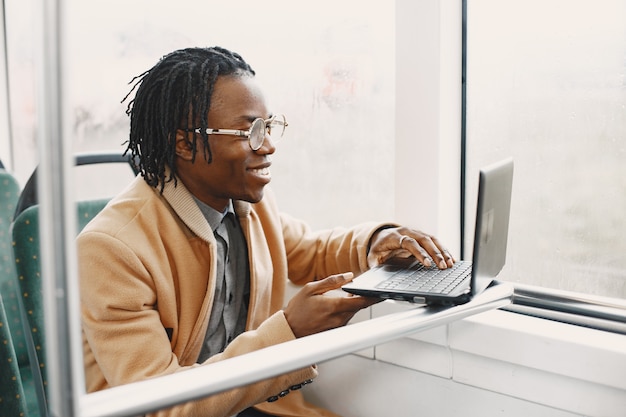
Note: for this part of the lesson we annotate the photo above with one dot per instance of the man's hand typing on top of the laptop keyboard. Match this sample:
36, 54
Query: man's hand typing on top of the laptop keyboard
404, 242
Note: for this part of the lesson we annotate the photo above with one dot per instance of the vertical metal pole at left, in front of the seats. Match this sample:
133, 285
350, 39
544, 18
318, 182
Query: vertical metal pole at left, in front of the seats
57, 220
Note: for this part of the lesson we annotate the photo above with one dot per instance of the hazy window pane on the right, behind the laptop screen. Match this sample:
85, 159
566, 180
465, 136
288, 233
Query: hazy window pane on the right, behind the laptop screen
546, 84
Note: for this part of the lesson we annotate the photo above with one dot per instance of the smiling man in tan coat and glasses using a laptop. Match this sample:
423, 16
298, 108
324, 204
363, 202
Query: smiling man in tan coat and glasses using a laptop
188, 265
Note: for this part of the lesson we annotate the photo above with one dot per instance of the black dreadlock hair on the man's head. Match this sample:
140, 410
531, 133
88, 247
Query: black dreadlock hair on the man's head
176, 90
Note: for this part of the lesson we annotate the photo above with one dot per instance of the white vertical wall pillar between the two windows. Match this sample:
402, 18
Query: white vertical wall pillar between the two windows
428, 117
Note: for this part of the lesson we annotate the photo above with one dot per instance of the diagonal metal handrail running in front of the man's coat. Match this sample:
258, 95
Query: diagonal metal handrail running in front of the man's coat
162, 392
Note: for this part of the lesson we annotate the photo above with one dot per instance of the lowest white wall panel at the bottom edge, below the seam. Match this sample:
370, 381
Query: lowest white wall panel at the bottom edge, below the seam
357, 387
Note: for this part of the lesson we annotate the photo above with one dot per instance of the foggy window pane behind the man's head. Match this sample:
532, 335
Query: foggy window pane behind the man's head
330, 73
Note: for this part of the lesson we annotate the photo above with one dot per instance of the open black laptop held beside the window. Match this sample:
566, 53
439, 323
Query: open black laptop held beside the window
406, 279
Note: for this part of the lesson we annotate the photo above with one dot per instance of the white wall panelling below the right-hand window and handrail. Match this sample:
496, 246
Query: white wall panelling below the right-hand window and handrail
495, 363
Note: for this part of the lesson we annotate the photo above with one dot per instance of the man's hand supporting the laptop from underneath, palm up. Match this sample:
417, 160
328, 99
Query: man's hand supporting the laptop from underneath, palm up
312, 311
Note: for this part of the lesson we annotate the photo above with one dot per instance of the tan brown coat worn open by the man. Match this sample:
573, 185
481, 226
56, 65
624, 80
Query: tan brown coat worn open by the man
147, 272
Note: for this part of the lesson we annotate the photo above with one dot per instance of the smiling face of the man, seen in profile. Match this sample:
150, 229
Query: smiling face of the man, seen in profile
236, 171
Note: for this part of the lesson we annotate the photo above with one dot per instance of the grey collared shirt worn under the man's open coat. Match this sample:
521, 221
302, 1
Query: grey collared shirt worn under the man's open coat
232, 286
